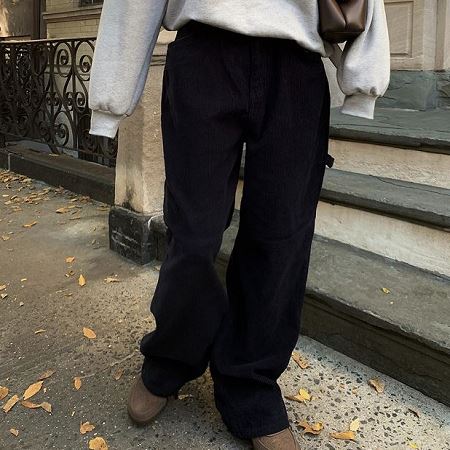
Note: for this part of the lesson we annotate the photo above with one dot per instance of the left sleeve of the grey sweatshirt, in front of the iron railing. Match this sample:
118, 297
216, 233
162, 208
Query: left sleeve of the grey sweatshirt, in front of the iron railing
127, 35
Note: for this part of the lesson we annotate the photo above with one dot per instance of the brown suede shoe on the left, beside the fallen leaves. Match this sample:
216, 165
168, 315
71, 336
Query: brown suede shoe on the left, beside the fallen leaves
143, 406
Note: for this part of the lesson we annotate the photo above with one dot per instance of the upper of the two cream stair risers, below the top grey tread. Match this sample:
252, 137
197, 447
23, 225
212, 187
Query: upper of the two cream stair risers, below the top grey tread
417, 166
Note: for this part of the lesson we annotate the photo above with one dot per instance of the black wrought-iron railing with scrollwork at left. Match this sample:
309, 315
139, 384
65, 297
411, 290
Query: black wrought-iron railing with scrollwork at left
44, 97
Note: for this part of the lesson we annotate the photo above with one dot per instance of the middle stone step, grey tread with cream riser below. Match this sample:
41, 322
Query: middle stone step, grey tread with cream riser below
405, 221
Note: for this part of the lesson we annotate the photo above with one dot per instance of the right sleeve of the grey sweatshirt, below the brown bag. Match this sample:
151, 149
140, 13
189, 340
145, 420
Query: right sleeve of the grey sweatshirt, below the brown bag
363, 69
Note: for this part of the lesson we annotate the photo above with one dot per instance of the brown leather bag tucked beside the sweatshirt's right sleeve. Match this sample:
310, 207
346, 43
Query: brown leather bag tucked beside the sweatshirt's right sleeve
342, 20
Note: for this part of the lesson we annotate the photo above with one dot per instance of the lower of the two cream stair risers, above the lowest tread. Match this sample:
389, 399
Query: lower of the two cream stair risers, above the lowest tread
418, 245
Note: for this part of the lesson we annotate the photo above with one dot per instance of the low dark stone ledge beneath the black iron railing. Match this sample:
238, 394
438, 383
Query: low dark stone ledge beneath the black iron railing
79, 176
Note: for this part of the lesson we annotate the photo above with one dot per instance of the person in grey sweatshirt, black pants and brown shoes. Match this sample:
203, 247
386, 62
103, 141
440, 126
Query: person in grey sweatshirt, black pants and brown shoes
237, 72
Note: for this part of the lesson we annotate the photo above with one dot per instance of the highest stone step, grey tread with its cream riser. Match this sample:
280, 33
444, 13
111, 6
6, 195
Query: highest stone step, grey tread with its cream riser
399, 144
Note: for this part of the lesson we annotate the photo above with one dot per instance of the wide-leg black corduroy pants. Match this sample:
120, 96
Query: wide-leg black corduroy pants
221, 89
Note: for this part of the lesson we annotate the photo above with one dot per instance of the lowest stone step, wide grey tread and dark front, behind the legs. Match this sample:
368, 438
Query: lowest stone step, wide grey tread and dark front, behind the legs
404, 333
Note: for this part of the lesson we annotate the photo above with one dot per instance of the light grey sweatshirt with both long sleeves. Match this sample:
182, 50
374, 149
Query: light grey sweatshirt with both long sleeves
128, 31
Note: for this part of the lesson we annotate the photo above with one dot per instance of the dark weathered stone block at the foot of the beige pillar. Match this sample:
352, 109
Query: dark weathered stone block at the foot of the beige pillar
130, 236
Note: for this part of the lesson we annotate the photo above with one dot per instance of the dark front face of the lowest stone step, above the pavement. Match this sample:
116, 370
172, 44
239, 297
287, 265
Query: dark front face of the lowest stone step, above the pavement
406, 360
